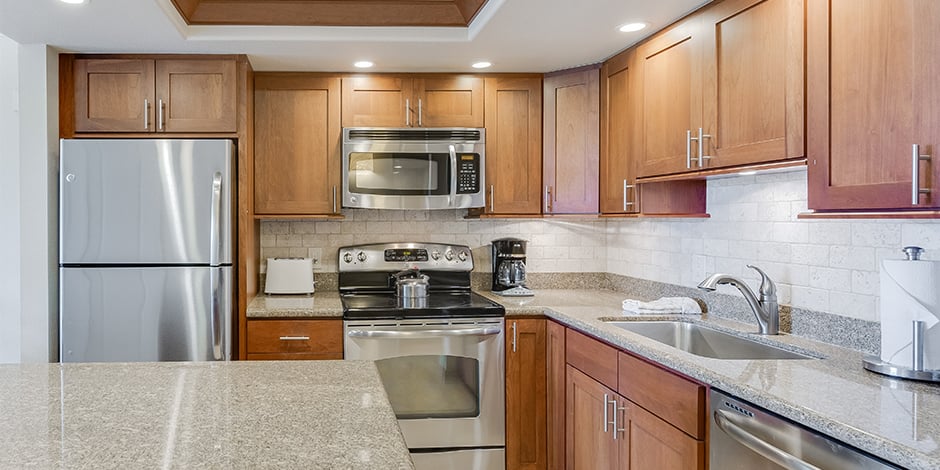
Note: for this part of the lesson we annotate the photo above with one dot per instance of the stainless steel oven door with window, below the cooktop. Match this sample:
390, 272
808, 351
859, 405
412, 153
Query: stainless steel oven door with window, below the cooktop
444, 379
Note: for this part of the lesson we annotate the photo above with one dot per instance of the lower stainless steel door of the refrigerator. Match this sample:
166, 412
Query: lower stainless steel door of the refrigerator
145, 314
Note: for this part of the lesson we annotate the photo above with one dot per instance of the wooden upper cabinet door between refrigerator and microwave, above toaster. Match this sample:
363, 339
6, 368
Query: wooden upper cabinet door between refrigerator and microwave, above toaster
297, 144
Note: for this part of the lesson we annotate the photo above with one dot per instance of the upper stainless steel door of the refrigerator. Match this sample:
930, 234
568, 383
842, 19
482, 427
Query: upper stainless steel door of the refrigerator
146, 201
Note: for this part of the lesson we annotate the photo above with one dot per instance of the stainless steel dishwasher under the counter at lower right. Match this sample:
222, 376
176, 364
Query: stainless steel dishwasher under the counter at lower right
744, 436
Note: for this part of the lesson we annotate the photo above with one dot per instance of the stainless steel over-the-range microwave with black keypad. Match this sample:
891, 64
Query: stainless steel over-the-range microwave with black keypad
413, 168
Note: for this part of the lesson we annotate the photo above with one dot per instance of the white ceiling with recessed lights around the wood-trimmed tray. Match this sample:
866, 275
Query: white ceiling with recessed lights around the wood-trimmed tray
515, 35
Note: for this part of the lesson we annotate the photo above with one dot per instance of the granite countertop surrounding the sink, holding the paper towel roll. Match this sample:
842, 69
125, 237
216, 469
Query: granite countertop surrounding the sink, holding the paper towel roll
894, 419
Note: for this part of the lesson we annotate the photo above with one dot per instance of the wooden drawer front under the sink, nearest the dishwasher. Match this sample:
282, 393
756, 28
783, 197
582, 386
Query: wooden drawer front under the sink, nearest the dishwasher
675, 399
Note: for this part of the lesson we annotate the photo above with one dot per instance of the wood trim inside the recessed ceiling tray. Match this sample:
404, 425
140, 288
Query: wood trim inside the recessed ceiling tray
441, 13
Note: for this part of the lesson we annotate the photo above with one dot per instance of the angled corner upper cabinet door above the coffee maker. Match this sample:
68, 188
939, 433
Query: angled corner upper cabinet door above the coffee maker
570, 149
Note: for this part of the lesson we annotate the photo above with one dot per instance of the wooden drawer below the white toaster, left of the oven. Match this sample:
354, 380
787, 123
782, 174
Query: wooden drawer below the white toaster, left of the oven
297, 339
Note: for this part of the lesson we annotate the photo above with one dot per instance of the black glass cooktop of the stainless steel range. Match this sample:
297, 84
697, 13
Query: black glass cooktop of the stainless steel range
435, 305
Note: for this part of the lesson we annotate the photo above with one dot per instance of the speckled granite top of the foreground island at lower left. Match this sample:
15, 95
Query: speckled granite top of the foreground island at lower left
303, 414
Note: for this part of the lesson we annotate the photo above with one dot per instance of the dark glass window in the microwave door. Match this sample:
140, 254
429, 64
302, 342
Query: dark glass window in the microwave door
399, 174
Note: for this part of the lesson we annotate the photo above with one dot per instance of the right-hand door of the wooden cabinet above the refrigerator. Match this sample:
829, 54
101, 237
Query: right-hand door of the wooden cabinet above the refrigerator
196, 95
